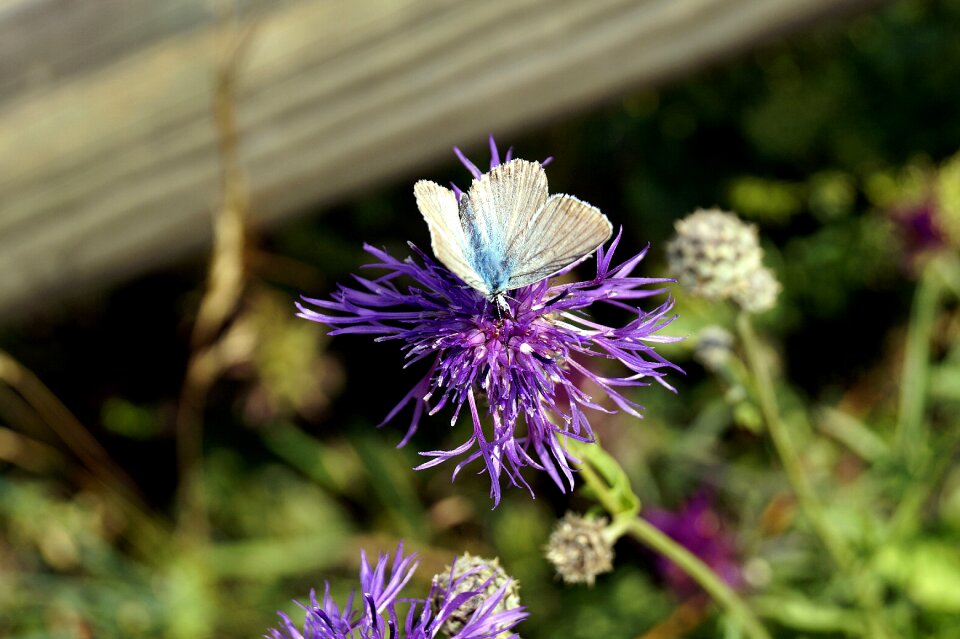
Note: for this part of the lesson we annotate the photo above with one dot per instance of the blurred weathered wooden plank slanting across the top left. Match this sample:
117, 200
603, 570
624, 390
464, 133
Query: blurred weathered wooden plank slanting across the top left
108, 162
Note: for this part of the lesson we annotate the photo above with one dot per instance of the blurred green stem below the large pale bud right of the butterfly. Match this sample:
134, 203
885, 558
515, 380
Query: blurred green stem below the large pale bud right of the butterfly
806, 497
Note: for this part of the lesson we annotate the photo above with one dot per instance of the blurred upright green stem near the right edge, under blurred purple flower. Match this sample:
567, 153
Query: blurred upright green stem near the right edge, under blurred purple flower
911, 437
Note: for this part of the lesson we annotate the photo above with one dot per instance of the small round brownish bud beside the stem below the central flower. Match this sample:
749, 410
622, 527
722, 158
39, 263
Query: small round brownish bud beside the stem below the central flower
578, 549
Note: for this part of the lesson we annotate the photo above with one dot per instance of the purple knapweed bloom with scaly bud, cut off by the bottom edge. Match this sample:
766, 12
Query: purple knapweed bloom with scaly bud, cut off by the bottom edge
380, 615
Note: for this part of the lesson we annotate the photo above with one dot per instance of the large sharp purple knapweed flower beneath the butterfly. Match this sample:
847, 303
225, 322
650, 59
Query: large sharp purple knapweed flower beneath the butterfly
523, 365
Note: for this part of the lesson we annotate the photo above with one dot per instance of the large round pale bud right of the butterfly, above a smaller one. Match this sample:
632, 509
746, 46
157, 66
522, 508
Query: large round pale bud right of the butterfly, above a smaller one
713, 253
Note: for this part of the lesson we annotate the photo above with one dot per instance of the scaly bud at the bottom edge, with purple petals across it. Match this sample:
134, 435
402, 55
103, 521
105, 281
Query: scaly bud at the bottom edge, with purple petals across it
472, 574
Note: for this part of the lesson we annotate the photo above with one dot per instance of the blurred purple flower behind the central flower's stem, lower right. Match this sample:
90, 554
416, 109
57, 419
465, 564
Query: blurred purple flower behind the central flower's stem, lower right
698, 528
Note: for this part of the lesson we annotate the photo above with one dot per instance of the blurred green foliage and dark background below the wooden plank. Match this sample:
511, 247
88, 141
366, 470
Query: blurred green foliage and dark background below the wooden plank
819, 139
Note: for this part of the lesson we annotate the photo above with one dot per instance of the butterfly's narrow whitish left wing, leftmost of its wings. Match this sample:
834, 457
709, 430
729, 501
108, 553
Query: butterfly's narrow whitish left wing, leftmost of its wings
439, 208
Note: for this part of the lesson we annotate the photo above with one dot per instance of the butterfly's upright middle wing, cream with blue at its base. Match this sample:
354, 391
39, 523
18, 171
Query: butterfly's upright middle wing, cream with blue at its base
495, 216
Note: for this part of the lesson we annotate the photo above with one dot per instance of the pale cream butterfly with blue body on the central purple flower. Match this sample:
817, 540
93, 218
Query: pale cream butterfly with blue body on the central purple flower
506, 232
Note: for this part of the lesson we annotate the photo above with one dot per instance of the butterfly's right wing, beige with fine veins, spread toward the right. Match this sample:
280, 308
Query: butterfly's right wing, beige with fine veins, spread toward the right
561, 232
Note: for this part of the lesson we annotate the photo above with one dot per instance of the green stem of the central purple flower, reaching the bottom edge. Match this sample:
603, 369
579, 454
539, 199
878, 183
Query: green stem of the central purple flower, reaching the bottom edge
647, 534
